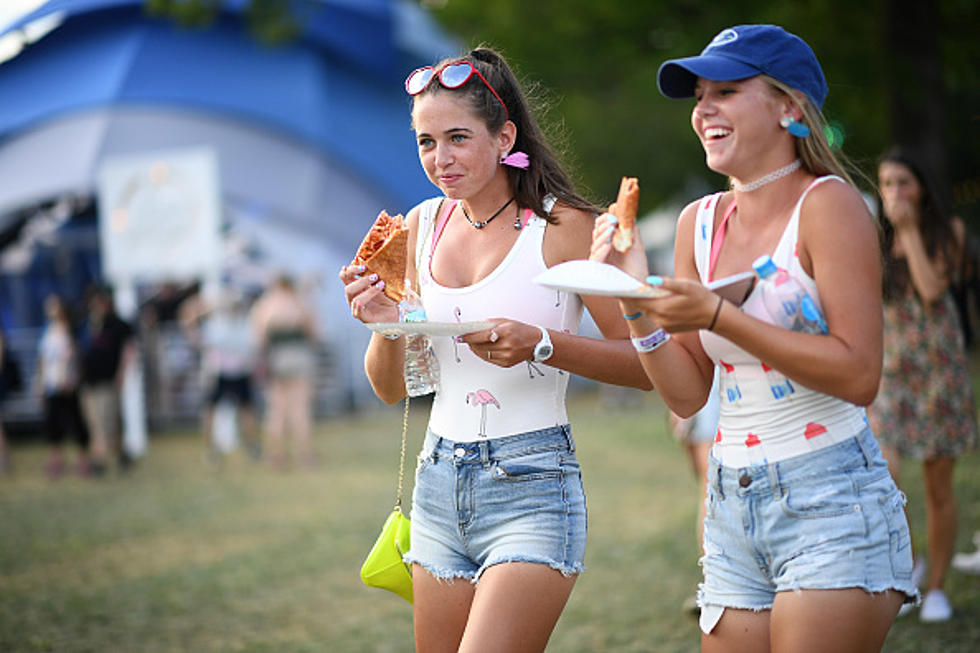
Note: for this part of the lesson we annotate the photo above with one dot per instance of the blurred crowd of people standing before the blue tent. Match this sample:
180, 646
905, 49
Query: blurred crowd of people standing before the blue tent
244, 362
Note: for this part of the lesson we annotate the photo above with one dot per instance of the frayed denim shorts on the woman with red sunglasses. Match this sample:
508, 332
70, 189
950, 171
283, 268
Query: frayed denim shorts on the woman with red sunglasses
512, 499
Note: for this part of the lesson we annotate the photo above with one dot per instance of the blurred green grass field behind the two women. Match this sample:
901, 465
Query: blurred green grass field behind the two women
176, 557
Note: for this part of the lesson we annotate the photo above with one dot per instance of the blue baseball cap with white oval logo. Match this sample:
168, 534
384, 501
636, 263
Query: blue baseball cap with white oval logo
745, 51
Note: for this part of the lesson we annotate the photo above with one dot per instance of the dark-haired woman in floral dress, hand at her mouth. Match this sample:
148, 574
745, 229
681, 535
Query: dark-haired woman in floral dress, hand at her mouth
925, 407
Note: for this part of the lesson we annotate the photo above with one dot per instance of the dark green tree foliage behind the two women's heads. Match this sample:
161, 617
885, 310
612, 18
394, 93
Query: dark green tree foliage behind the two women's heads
600, 61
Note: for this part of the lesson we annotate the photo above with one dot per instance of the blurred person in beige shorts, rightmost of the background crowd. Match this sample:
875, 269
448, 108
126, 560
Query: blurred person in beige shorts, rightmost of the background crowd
285, 334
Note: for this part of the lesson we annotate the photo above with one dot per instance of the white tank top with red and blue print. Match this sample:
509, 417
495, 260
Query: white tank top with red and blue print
764, 416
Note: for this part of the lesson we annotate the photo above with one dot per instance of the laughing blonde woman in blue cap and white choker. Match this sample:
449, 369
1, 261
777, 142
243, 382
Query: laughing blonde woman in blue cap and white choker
806, 546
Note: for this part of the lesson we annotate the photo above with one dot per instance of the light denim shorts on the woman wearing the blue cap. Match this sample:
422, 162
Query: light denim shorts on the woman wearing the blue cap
830, 519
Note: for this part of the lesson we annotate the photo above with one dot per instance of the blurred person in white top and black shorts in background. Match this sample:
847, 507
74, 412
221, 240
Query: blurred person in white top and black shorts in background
222, 331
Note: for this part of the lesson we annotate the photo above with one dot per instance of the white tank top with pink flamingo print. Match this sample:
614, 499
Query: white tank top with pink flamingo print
476, 399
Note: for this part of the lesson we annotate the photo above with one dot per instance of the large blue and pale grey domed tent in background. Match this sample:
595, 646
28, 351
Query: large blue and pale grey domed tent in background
312, 137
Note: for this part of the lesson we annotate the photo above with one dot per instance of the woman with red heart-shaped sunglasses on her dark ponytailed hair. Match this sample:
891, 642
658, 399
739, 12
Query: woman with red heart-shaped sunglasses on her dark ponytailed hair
498, 516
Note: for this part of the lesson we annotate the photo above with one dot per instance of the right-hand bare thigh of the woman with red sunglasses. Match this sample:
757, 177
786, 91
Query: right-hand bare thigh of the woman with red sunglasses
515, 609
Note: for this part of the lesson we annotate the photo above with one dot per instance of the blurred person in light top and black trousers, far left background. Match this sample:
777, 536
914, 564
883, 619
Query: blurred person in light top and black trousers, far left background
56, 380
